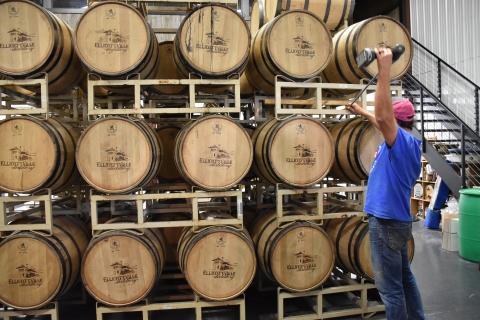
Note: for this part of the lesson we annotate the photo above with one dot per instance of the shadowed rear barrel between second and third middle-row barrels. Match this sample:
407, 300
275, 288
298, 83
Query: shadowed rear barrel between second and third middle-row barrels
166, 134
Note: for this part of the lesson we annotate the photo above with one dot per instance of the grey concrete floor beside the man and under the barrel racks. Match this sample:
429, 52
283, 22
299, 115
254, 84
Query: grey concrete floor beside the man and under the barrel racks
450, 288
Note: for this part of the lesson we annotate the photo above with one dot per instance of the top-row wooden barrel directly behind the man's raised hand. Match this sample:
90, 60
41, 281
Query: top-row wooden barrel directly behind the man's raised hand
347, 45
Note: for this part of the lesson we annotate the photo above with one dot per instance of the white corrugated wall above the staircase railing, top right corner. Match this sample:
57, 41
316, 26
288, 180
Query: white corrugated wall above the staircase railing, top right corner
450, 29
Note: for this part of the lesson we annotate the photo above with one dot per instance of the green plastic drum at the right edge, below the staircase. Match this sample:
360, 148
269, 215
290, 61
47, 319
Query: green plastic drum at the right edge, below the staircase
469, 224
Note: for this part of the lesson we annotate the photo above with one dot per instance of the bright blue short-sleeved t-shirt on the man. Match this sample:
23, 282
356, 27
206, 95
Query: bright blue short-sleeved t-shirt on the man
392, 175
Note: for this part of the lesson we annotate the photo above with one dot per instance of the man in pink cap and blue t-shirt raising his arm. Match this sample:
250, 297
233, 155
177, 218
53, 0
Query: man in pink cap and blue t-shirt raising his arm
394, 170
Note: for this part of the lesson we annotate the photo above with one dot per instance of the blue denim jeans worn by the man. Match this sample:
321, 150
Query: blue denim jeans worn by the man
393, 278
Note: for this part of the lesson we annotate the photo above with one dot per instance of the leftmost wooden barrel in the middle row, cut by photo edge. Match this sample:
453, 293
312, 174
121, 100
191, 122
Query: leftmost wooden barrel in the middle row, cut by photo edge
37, 153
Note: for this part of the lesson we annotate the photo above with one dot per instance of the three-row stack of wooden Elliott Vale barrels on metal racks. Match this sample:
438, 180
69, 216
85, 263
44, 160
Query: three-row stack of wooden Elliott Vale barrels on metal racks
289, 40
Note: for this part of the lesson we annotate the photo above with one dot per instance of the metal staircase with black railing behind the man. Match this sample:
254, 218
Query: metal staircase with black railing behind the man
447, 105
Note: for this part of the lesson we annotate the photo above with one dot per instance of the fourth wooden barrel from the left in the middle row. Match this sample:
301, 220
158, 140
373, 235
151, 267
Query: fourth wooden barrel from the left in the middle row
297, 151
